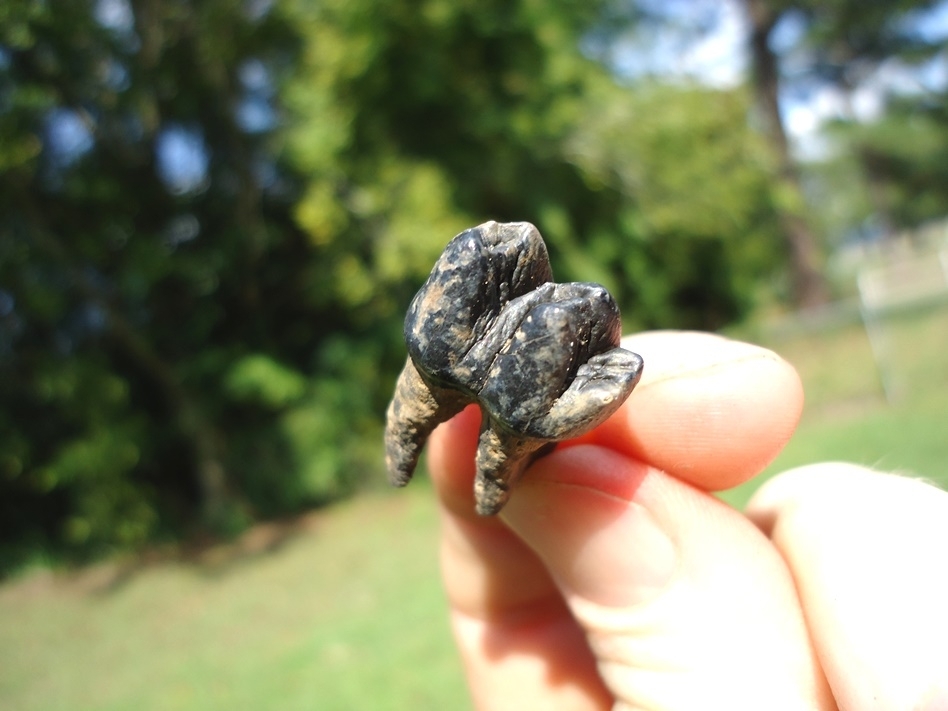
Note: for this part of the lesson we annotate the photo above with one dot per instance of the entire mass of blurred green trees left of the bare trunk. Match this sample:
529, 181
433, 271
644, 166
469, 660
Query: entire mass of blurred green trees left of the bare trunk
213, 216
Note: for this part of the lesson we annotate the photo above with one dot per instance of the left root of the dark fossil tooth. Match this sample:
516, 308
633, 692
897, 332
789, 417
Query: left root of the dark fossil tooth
415, 410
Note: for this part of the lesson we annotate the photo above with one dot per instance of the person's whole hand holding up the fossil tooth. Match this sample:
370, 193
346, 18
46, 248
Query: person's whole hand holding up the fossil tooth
612, 579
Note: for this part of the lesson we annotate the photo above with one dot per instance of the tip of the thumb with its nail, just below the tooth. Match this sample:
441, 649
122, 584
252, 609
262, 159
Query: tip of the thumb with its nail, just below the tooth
598, 543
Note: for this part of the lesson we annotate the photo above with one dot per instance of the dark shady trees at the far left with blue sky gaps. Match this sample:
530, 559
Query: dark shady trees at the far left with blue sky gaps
146, 247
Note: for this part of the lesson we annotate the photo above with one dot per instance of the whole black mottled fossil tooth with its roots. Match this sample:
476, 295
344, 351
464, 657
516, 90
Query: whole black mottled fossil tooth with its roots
490, 326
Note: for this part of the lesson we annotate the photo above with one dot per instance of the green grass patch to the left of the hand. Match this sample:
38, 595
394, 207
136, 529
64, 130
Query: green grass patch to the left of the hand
341, 610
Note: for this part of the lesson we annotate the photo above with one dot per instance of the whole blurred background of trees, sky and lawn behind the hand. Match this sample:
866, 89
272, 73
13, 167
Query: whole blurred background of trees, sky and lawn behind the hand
213, 216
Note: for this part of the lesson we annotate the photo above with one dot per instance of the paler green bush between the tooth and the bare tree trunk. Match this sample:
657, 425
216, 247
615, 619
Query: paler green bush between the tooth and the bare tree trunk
698, 221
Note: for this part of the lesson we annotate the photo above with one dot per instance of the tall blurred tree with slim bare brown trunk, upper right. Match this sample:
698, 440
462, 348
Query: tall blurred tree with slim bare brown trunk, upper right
841, 44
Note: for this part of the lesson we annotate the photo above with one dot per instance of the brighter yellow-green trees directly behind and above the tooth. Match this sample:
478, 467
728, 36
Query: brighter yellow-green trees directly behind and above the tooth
416, 119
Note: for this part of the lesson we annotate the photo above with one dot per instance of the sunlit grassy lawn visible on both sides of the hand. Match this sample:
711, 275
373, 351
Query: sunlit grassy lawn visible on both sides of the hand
343, 609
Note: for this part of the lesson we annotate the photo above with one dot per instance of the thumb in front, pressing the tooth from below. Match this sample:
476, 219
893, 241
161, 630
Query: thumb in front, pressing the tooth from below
684, 602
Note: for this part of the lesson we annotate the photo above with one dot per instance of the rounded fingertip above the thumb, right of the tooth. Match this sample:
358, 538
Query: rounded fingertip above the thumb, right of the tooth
711, 411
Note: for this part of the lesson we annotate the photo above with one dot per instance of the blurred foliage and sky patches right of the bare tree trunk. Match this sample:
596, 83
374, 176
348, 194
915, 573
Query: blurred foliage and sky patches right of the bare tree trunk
875, 180
